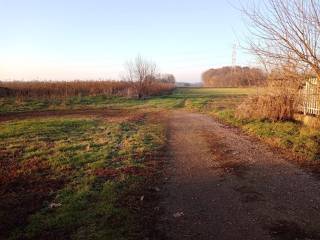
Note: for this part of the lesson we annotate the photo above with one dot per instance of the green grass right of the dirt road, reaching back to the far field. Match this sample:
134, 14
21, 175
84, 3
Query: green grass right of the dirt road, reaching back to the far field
222, 103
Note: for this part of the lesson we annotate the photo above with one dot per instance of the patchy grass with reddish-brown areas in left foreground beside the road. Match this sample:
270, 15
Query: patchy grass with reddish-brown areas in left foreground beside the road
70, 178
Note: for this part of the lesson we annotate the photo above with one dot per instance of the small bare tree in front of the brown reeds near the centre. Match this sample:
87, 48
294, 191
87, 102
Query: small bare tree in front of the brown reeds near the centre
142, 72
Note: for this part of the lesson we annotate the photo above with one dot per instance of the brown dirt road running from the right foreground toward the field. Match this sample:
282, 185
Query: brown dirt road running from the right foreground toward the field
223, 185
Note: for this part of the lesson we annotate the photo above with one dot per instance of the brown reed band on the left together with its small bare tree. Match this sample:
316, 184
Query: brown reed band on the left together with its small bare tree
141, 80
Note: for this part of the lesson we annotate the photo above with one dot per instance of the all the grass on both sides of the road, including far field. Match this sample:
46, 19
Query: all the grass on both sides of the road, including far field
82, 177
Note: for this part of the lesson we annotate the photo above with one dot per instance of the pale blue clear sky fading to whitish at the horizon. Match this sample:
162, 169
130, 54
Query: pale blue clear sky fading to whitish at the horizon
93, 39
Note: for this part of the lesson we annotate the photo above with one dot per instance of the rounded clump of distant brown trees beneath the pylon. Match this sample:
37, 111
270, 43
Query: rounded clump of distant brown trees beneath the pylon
233, 77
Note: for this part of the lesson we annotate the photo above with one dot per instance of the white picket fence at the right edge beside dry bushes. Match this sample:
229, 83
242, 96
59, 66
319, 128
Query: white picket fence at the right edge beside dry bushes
311, 97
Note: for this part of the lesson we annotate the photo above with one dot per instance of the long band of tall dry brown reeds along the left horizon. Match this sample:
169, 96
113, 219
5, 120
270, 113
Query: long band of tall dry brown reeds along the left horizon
61, 89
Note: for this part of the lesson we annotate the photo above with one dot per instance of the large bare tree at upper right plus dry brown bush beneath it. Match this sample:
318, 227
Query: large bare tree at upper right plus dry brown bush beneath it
284, 35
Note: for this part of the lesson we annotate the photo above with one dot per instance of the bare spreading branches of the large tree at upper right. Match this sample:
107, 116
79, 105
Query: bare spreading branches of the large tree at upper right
285, 34
